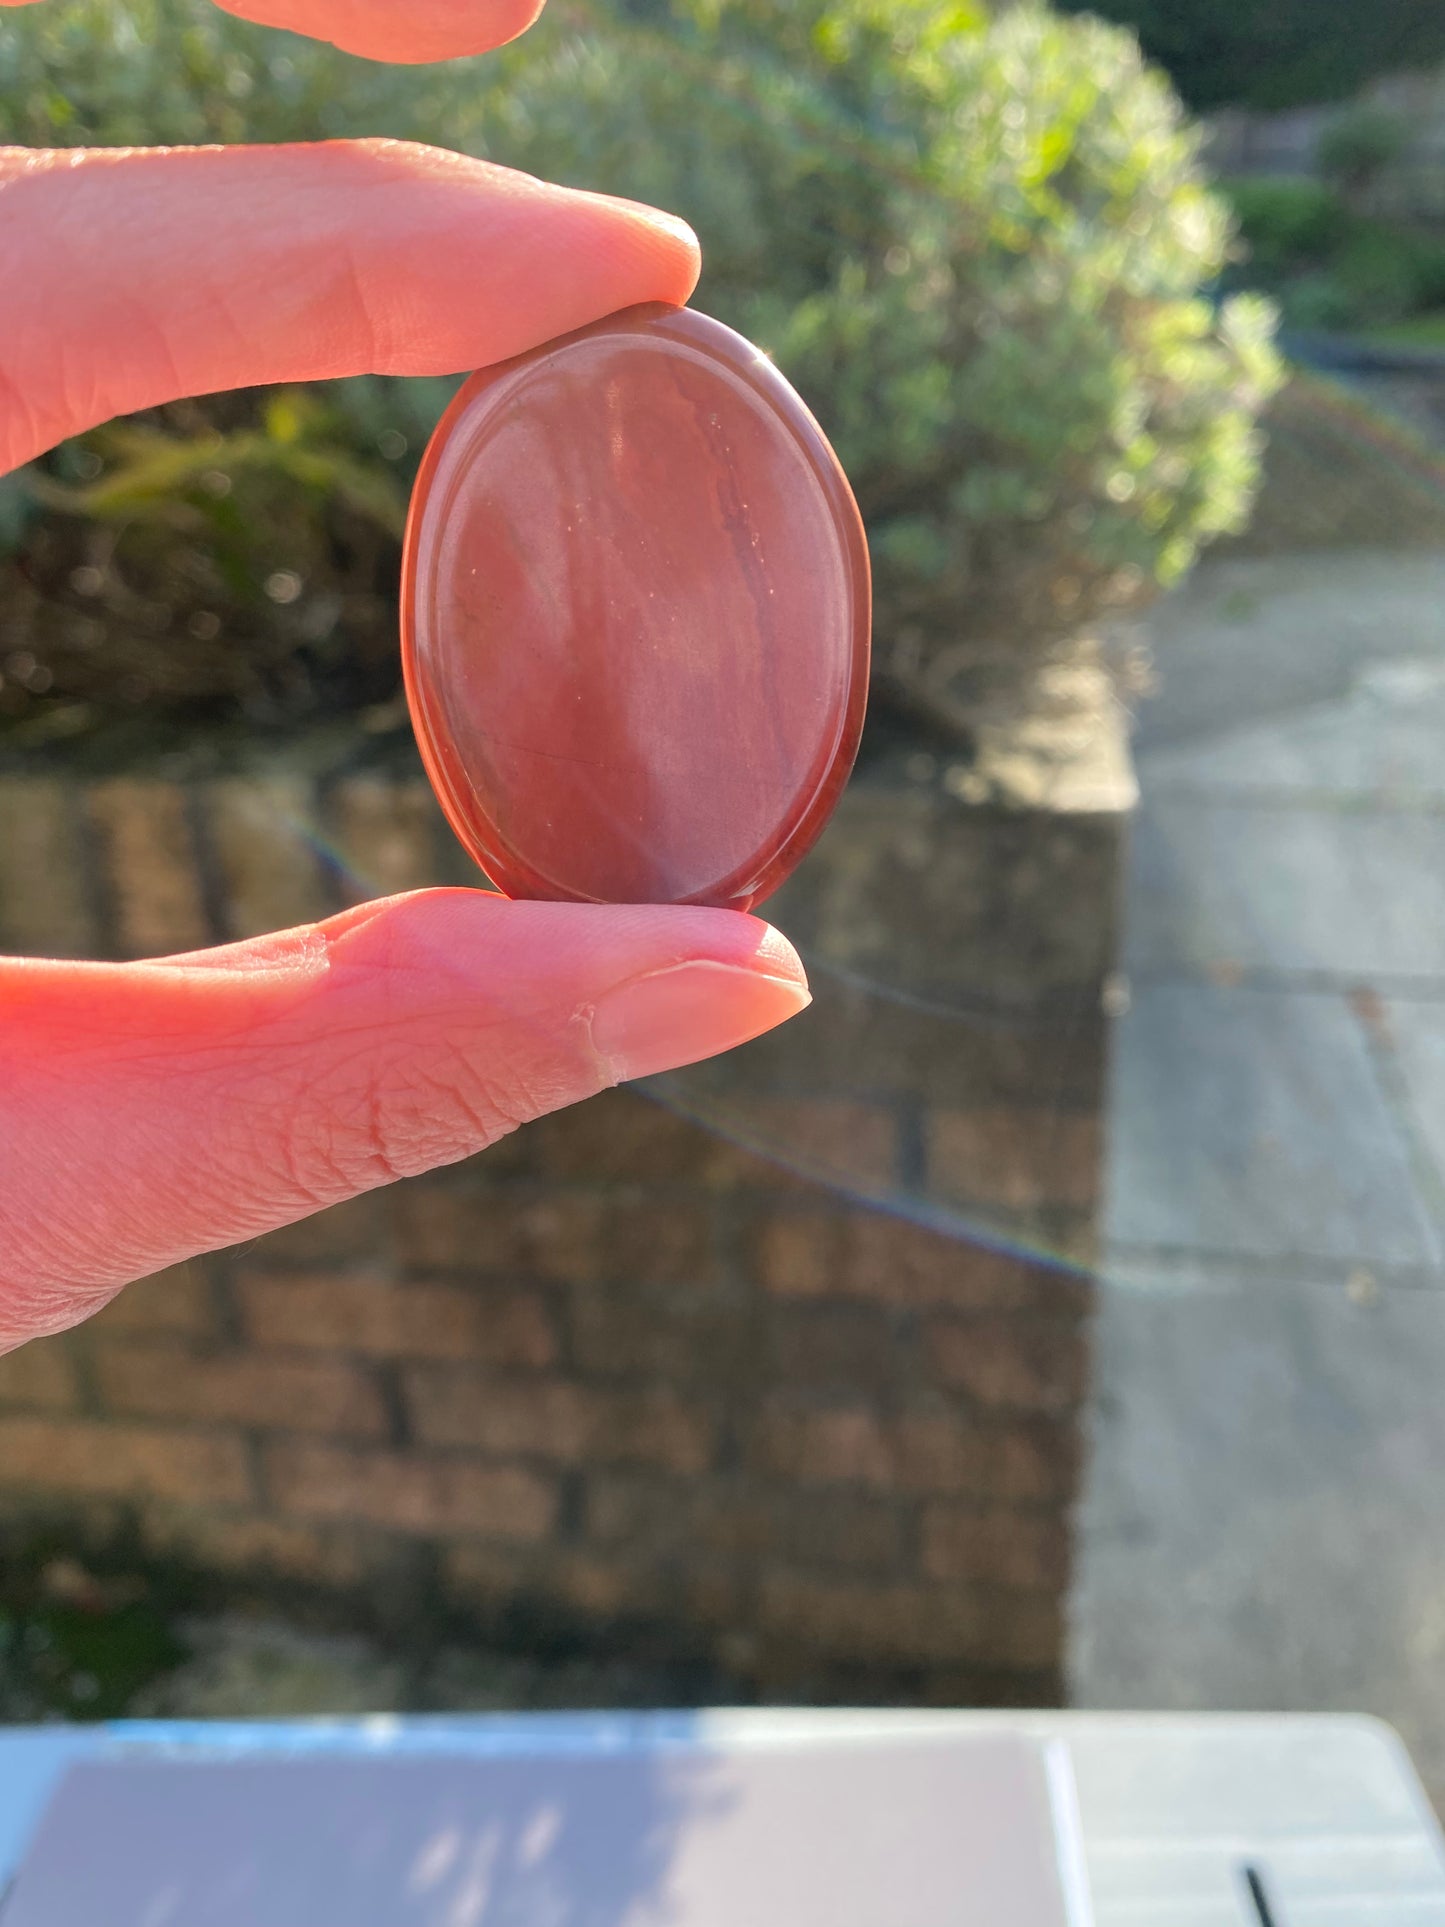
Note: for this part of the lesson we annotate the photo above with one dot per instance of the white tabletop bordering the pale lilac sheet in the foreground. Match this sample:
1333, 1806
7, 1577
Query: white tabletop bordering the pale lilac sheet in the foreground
1172, 1808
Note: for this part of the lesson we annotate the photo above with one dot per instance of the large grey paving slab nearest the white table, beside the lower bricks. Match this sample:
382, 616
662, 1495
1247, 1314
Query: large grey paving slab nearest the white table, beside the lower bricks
1265, 1521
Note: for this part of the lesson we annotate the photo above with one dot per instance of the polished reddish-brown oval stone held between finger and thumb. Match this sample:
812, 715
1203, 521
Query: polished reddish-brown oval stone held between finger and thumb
637, 618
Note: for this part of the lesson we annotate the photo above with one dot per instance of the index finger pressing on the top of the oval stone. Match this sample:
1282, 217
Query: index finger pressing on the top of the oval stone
138, 277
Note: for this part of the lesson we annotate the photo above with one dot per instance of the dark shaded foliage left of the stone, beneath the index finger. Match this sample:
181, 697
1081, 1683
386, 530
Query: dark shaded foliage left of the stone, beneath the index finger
234, 558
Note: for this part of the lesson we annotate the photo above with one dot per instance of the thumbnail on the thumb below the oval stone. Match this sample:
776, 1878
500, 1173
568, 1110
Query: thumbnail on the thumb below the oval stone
689, 1013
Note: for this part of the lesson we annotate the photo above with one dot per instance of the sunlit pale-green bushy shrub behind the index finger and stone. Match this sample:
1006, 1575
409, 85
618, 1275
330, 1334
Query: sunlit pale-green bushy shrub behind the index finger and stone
978, 246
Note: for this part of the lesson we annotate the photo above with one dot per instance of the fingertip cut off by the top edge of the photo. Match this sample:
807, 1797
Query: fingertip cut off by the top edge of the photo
392, 30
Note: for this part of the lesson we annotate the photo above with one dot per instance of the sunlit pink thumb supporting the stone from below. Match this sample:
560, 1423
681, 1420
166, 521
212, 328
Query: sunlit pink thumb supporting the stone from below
155, 1111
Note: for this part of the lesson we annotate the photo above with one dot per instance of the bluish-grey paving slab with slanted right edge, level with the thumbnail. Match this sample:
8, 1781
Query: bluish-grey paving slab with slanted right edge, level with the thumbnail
1253, 1122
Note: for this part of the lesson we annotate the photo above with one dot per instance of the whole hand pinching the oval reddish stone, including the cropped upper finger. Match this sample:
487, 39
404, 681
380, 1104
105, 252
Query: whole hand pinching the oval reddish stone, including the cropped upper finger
153, 1111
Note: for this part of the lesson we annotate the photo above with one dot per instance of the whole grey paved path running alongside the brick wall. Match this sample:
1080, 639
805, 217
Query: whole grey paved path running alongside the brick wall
1265, 1510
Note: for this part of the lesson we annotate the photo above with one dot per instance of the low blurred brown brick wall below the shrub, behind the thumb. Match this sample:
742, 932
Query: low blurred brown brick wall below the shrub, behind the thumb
629, 1369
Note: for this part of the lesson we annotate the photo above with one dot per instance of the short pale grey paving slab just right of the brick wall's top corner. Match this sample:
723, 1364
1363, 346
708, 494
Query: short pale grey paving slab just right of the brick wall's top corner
1286, 887
